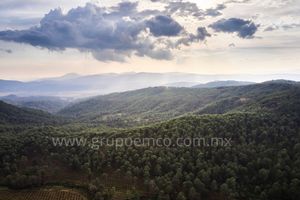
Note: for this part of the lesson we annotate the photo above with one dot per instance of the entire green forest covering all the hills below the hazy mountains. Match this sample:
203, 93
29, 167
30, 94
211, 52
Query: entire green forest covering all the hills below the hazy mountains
262, 161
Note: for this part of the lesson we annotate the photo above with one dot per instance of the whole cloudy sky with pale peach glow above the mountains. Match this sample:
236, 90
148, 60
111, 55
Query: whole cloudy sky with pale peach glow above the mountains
42, 38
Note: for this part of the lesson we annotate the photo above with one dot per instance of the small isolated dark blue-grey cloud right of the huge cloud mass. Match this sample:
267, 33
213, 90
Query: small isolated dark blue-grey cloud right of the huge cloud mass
244, 28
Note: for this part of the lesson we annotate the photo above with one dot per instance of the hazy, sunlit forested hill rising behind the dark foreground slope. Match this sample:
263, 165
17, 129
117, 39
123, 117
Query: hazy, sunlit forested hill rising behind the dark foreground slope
160, 103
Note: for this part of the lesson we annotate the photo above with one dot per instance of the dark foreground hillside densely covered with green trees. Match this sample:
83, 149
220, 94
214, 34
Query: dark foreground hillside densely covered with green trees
261, 160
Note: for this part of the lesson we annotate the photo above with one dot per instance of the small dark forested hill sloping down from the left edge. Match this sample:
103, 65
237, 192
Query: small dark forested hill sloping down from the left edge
10, 114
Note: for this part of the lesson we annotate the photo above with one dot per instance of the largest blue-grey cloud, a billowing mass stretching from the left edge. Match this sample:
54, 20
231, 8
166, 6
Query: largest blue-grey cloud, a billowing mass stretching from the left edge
113, 33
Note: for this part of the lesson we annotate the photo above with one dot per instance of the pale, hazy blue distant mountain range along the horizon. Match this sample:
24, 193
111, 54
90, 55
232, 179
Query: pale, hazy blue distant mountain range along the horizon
74, 85
